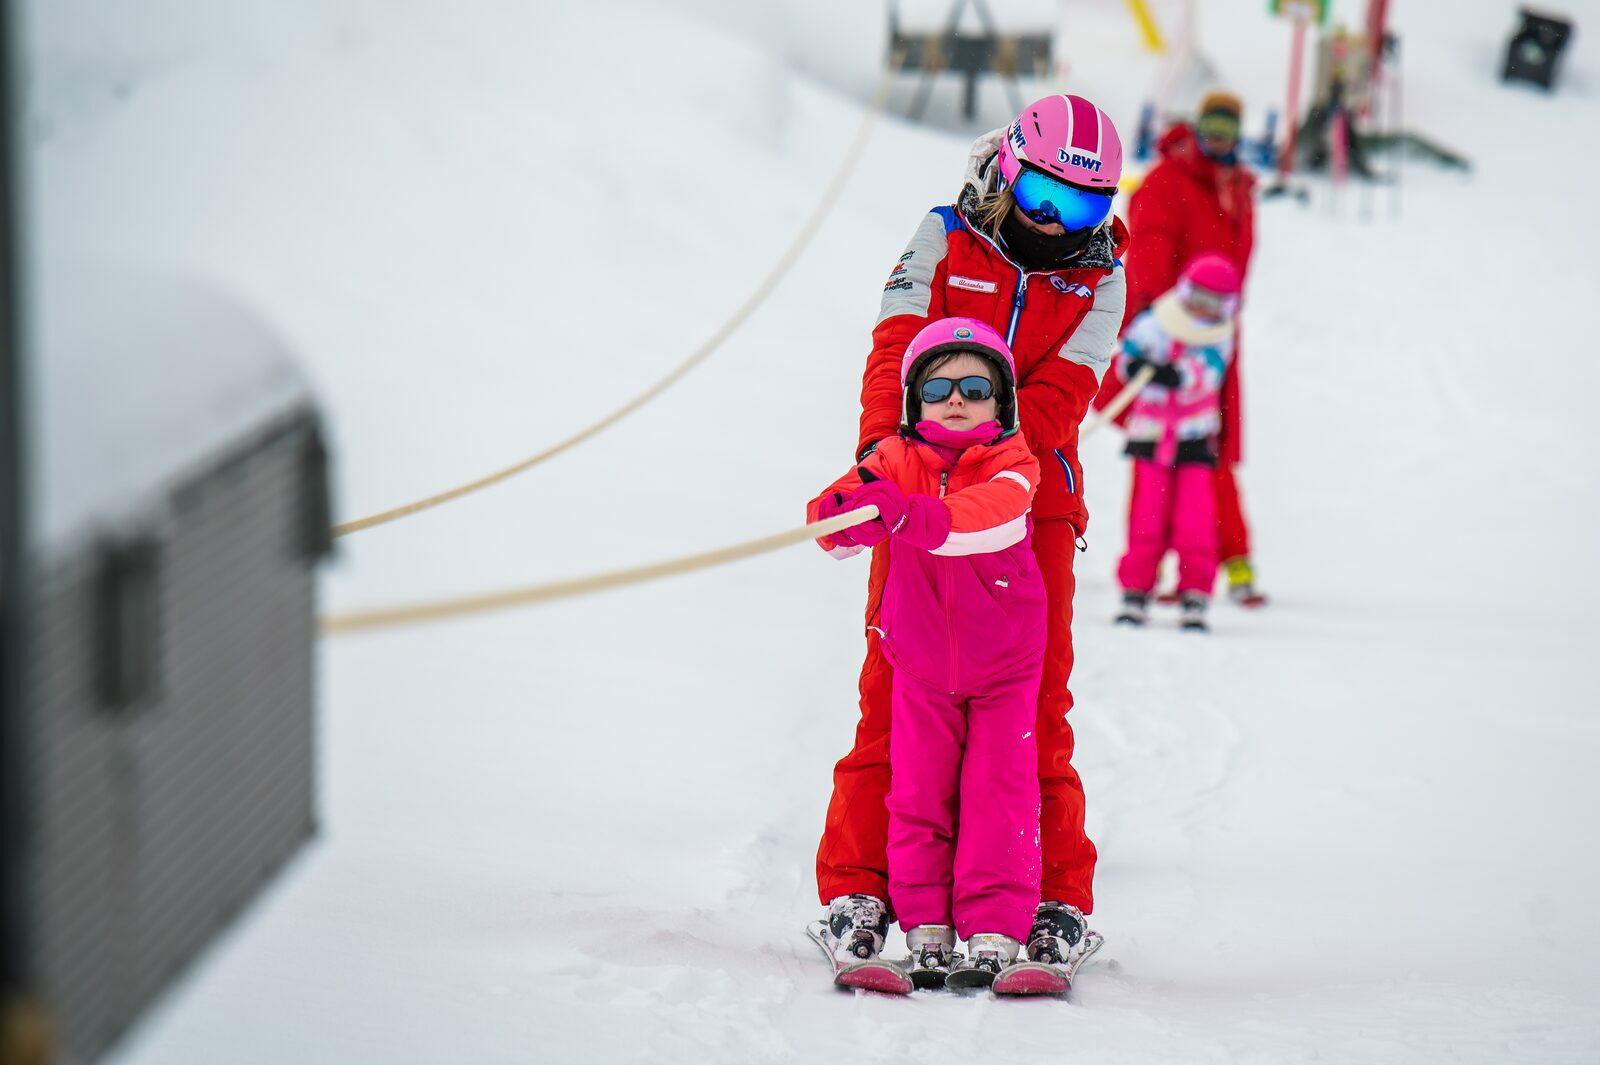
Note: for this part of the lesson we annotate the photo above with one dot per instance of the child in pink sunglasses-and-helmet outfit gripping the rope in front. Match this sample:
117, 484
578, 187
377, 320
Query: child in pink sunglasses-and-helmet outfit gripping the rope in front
962, 620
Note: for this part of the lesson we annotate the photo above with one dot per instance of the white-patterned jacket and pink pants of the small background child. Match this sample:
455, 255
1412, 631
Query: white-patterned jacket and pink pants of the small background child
1174, 437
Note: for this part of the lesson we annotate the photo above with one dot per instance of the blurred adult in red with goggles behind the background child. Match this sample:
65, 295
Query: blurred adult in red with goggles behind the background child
1194, 201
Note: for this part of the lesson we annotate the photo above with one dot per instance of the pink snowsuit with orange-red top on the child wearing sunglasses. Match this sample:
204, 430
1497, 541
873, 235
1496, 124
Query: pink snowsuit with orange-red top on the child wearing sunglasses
964, 624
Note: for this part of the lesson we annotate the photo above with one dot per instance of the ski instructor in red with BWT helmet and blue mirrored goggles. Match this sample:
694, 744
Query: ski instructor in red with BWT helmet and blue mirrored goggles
1031, 249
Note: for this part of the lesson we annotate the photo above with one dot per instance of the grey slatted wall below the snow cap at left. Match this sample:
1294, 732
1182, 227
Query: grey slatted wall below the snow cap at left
172, 789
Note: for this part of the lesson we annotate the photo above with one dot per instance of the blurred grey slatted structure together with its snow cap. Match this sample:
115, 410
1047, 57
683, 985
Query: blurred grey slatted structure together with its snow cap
170, 631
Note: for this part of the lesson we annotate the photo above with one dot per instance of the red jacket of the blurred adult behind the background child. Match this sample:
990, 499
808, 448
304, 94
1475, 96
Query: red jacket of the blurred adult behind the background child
1190, 205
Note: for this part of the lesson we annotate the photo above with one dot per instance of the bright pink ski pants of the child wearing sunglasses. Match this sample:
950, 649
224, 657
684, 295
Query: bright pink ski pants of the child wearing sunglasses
964, 805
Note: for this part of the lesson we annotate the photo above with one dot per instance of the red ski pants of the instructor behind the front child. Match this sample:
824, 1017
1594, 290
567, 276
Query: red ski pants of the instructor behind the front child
854, 853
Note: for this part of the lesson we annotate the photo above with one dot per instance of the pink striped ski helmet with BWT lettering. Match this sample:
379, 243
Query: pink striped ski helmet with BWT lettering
1065, 137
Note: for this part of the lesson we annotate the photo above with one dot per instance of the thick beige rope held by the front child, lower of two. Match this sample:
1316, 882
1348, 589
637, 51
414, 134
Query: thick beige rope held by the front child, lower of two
598, 583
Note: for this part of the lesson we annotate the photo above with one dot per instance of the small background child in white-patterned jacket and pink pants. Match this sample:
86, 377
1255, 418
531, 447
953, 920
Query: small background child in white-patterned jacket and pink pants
1188, 338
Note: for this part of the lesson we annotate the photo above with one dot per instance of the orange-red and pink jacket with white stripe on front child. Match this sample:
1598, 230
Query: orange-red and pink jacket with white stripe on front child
972, 610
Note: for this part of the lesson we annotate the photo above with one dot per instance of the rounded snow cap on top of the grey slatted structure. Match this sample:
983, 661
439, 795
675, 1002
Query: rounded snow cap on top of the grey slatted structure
142, 380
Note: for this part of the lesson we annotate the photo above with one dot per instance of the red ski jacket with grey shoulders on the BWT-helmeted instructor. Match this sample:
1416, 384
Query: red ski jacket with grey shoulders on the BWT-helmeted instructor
1062, 327
